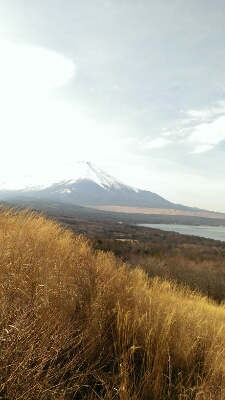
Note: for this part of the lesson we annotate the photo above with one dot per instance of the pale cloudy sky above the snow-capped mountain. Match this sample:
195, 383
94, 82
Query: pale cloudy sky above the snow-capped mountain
135, 87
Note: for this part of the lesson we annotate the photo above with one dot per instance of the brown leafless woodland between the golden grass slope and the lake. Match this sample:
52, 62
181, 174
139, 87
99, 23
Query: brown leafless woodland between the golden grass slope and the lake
189, 260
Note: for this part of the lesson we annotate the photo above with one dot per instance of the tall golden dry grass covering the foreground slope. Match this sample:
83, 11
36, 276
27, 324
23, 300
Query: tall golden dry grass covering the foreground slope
79, 324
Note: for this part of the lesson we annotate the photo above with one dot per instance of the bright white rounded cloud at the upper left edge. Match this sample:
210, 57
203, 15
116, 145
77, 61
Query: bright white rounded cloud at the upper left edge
29, 69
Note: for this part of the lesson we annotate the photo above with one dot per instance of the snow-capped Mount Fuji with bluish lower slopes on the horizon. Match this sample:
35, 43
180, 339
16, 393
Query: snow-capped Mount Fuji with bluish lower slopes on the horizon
82, 183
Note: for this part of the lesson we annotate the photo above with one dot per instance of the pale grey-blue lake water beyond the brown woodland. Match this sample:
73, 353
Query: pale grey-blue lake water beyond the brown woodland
211, 232
